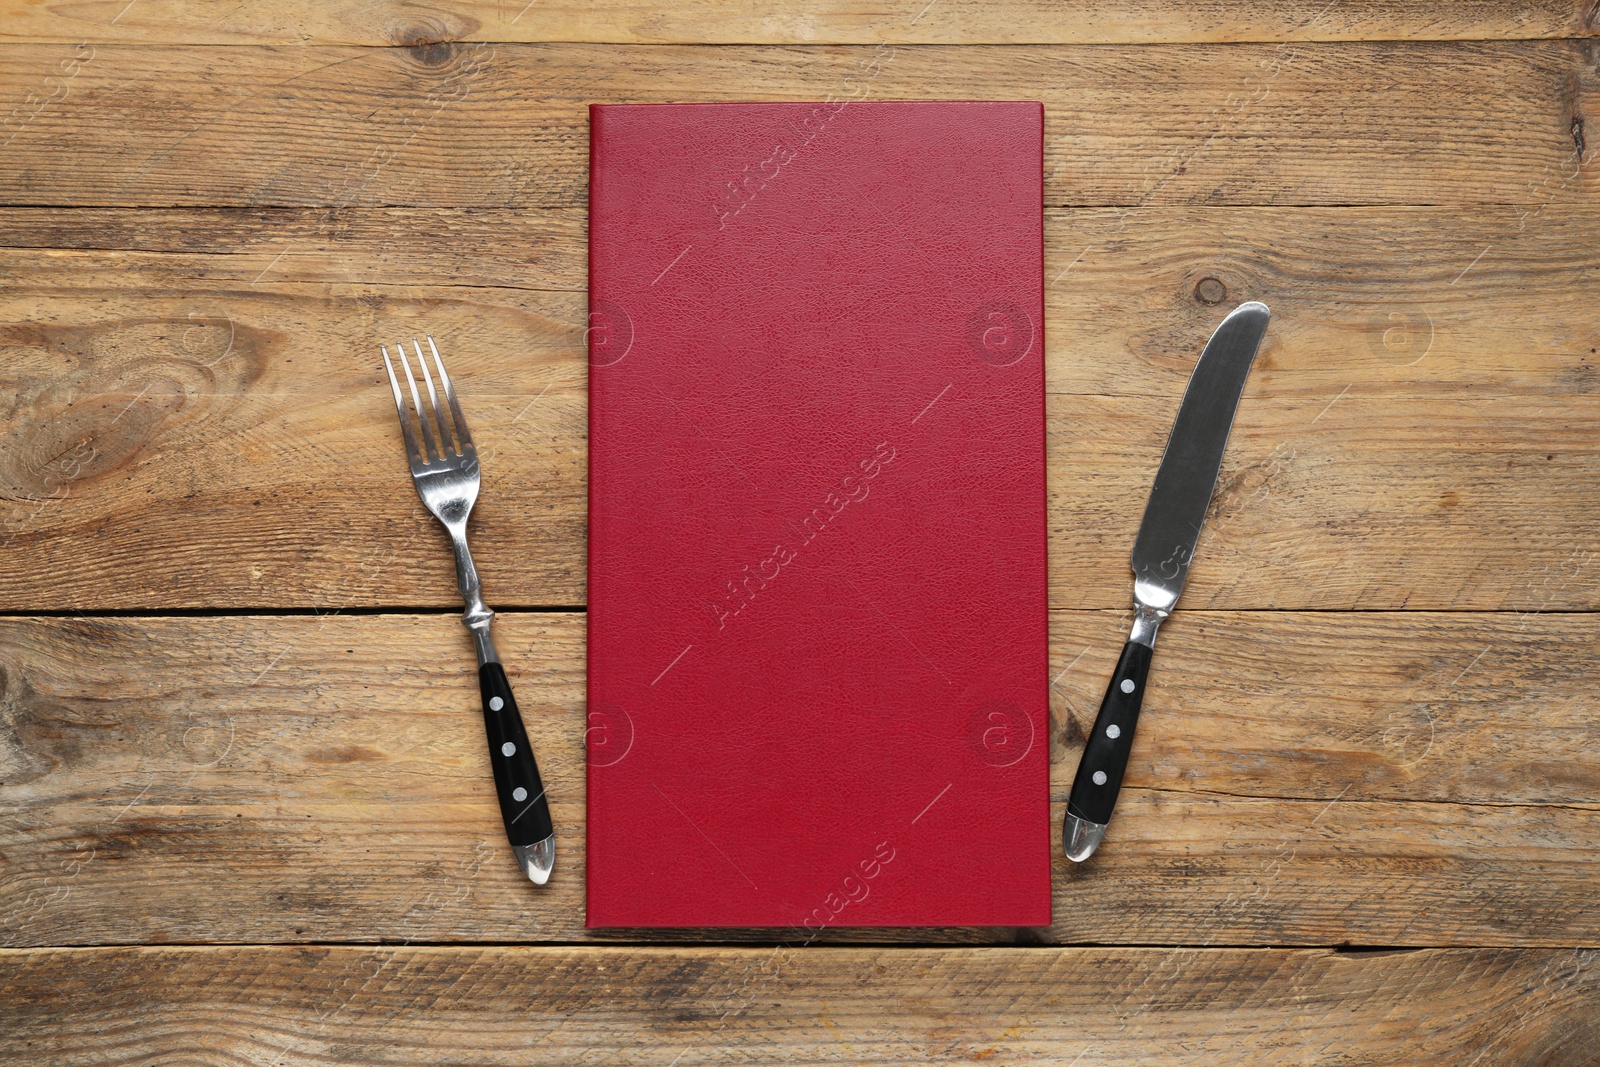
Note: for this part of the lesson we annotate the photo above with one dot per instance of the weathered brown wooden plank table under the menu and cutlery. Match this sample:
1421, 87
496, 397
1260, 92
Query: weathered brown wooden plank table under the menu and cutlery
242, 775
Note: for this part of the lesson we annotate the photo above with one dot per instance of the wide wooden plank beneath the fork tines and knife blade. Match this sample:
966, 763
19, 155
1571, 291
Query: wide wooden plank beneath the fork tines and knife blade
194, 402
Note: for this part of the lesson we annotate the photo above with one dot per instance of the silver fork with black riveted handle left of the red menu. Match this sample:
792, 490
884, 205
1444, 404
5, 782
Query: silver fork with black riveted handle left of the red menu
446, 471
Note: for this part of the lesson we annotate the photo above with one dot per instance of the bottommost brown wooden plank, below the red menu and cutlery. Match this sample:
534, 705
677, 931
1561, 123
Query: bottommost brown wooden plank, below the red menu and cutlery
687, 1007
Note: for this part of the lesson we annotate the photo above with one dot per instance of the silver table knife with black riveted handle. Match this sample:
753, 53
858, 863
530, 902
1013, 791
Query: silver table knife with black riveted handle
1161, 562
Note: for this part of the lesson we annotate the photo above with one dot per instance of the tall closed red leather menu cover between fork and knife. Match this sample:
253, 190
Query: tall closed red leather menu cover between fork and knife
817, 516
